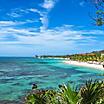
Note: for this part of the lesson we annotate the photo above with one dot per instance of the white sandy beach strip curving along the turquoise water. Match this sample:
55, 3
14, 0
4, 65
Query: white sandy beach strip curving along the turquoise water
85, 64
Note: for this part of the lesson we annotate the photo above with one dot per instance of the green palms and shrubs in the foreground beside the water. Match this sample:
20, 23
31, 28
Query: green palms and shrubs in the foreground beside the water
91, 93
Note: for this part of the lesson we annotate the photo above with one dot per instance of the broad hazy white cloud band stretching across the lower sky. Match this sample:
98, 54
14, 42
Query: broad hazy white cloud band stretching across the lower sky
63, 38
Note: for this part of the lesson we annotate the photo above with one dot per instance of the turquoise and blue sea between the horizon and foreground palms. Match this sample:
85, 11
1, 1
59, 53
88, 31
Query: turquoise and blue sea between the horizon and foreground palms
18, 74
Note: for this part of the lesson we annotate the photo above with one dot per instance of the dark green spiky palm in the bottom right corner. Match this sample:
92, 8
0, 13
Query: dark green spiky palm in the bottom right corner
92, 93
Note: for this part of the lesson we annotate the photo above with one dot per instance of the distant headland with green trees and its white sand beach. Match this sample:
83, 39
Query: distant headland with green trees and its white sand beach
93, 59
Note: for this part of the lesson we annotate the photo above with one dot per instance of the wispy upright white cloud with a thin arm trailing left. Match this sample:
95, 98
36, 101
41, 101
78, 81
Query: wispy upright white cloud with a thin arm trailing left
47, 5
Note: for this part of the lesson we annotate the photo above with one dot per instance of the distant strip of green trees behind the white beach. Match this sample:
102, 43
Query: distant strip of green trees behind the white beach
97, 56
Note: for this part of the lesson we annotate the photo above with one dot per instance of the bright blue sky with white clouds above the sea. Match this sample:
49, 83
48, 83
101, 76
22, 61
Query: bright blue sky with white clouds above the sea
48, 27
